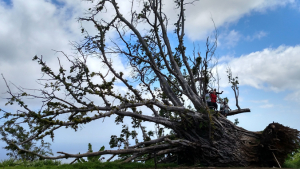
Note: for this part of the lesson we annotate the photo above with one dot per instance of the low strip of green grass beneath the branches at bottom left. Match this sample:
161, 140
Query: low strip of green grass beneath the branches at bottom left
49, 164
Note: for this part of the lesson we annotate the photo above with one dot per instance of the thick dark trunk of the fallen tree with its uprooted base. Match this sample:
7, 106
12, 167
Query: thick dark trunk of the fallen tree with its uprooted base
234, 146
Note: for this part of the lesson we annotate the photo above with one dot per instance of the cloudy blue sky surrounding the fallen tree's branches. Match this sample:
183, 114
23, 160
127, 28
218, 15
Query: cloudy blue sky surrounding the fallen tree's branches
258, 39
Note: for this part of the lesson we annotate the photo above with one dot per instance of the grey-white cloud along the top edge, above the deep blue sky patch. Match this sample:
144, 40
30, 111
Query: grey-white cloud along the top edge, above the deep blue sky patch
198, 16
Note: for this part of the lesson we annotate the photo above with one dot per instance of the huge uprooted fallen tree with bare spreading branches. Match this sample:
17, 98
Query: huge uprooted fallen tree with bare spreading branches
167, 78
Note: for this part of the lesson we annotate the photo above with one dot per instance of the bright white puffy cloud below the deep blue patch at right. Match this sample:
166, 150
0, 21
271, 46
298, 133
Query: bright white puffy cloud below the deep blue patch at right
273, 69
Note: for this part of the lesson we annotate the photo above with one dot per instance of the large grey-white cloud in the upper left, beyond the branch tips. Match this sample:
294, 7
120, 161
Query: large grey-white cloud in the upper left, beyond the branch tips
35, 28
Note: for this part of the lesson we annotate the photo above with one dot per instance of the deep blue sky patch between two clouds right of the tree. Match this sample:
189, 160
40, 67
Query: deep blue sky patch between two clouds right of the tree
280, 23
